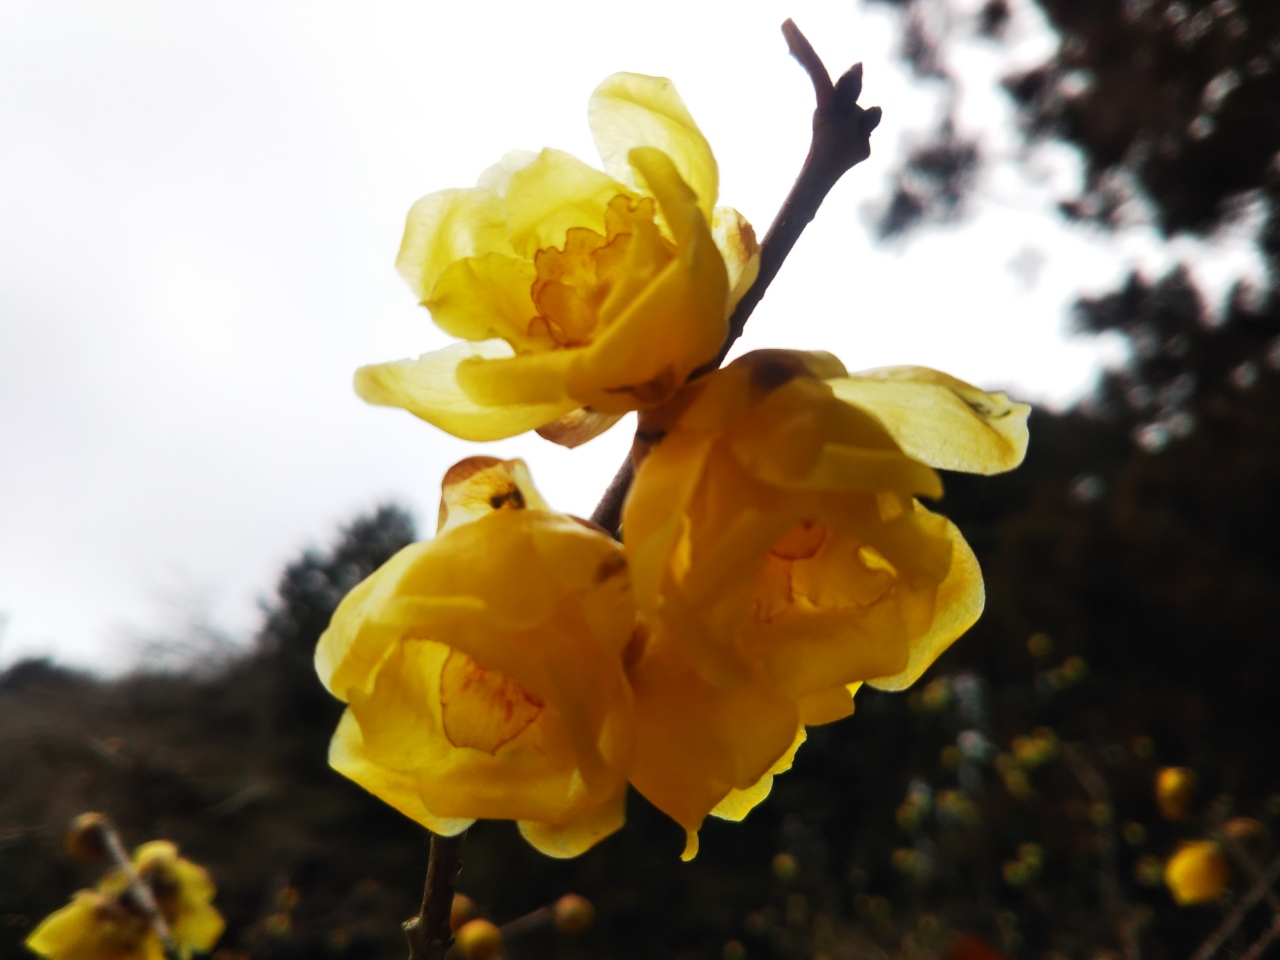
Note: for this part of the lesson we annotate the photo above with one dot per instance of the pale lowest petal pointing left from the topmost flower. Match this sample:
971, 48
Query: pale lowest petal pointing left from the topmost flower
429, 388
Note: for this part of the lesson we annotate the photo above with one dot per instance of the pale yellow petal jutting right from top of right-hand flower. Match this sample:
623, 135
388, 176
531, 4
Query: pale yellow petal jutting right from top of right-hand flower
940, 420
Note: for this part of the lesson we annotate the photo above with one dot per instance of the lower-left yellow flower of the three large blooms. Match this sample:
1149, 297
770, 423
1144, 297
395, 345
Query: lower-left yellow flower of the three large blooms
483, 670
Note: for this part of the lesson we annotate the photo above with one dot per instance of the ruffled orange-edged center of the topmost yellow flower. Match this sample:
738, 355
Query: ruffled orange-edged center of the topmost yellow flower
575, 284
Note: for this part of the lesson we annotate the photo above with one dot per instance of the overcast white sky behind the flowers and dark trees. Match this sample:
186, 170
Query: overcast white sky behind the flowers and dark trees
200, 205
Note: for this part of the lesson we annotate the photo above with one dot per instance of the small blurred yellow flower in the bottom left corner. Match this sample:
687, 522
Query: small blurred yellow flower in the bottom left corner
106, 925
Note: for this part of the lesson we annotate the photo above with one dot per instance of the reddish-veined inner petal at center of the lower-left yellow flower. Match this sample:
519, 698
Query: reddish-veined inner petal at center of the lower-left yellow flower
483, 708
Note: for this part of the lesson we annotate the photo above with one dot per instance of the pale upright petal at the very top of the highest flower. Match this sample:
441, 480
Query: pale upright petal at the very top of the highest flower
632, 111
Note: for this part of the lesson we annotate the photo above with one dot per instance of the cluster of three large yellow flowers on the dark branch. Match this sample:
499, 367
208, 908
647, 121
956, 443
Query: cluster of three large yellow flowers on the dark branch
525, 665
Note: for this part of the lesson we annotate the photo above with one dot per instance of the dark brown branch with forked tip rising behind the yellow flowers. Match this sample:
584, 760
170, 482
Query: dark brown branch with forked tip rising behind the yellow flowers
842, 140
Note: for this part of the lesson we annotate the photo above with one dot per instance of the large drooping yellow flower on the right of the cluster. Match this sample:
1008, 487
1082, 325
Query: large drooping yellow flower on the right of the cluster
781, 559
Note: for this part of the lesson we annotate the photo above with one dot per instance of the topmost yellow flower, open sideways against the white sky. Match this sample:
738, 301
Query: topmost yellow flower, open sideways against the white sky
578, 295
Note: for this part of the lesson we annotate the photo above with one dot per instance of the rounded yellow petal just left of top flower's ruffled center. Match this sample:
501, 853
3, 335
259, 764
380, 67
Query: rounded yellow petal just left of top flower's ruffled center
484, 299
